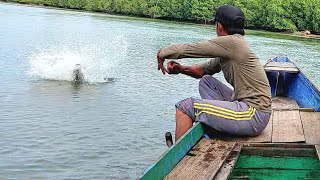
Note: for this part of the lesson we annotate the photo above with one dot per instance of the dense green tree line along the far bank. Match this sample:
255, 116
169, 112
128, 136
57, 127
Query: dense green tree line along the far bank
274, 15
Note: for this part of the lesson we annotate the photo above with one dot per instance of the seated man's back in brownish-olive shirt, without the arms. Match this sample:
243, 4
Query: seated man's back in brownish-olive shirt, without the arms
243, 70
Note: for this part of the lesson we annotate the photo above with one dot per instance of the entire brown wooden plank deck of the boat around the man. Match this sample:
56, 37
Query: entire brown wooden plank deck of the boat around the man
214, 158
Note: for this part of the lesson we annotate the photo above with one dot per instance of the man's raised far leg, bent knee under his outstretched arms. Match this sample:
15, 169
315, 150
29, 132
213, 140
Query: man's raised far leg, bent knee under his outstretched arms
212, 88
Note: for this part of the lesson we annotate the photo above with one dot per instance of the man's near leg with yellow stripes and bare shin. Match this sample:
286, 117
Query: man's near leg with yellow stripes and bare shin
231, 117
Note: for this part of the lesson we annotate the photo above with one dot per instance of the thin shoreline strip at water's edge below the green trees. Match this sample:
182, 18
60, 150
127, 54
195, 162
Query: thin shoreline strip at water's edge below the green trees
298, 34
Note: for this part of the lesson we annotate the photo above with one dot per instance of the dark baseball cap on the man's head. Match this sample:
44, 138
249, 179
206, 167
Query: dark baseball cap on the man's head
230, 17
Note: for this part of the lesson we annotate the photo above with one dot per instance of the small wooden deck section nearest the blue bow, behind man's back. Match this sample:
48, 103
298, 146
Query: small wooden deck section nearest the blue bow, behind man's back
282, 103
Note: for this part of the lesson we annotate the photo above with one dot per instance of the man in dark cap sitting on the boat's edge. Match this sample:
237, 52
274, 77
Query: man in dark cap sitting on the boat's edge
244, 111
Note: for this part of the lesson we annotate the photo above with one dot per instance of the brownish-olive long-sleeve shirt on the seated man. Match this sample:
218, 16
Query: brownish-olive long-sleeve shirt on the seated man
241, 68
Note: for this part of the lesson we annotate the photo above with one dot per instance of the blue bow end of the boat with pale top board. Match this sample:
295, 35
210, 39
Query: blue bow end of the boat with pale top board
287, 80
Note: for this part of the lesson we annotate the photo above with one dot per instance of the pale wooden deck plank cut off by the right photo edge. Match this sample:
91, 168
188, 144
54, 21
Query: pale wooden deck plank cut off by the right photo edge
311, 126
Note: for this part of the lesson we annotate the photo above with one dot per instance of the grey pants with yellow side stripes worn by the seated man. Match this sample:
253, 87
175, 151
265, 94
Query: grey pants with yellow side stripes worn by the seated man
218, 111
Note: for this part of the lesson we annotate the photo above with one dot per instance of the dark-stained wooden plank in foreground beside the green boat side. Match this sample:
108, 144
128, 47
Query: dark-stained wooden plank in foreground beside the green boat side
205, 164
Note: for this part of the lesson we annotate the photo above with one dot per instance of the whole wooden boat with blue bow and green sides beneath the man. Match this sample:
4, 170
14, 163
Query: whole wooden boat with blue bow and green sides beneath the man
289, 147
